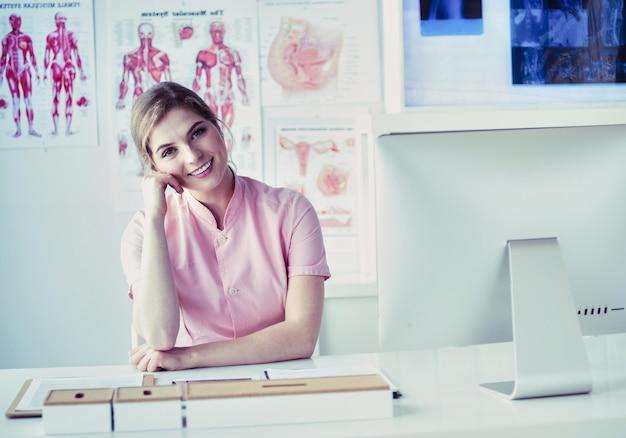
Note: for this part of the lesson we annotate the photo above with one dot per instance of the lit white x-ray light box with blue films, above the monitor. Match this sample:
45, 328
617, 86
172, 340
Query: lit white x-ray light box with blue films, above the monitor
498, 52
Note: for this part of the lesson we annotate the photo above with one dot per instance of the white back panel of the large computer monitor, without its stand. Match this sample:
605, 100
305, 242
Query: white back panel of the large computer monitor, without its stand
448, 202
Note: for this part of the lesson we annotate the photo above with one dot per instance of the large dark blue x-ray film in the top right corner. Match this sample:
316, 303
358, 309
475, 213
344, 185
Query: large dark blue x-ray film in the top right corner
567, 41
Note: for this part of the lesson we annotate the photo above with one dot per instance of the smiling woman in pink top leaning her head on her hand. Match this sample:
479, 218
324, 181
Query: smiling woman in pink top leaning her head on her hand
224, 269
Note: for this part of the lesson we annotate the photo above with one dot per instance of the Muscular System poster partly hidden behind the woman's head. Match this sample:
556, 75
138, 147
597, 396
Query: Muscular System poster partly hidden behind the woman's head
208, 46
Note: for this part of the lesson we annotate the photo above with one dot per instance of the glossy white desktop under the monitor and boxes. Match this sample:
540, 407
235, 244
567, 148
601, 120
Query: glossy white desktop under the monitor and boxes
440, 390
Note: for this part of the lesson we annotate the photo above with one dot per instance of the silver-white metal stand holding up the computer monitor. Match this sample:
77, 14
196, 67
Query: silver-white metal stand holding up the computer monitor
550, 356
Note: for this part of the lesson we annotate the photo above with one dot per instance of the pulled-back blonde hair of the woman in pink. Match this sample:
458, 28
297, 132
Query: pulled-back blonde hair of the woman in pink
152, 106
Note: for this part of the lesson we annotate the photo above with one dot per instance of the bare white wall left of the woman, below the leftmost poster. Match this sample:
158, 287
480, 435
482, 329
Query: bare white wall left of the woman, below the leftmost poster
62, 290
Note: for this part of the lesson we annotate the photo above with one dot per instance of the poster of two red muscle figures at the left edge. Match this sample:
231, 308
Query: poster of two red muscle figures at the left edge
47, 75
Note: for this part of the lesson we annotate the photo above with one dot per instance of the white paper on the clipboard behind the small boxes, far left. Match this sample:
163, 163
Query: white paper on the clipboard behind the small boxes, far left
35, 396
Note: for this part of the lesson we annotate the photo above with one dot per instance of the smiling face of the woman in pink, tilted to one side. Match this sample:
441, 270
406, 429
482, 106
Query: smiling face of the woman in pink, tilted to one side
190, 148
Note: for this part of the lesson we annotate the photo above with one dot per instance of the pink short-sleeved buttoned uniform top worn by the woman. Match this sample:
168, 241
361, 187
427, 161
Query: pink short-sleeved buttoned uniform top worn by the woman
233, 282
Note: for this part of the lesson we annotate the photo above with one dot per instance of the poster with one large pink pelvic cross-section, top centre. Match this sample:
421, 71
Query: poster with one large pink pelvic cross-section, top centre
319, 51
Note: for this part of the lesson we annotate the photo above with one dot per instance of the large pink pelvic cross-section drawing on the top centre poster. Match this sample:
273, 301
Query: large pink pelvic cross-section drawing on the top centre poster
303, 55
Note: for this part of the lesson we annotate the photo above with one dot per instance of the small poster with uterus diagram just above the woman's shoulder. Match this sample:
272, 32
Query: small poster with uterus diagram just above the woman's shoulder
322, 164
